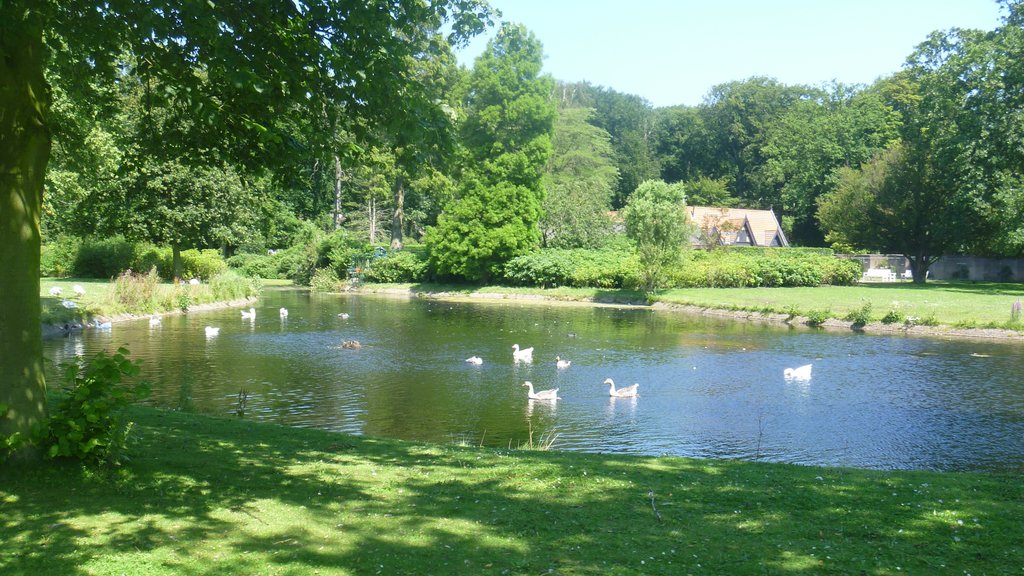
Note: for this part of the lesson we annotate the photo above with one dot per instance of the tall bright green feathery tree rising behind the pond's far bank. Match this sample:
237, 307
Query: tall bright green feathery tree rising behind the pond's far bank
507, 135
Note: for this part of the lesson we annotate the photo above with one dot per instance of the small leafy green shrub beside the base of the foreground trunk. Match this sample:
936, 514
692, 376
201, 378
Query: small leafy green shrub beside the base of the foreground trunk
90, 424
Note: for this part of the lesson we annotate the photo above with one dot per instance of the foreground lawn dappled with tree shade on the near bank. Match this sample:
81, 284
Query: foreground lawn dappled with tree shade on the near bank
207, 497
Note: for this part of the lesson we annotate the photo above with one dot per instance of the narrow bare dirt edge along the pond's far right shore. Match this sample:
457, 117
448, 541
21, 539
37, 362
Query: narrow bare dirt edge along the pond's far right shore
798, 322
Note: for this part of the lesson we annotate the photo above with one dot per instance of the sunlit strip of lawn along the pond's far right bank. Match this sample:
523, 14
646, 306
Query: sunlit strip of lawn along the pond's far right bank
946, 304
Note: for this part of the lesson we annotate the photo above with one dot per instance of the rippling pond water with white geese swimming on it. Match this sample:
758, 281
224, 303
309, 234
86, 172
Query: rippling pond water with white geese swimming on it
709, 388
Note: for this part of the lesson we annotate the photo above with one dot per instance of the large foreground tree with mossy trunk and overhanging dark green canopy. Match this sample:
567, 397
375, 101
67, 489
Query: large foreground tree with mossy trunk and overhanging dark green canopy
255, 63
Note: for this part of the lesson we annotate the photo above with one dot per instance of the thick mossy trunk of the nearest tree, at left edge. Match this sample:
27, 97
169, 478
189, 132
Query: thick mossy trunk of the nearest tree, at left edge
25, 150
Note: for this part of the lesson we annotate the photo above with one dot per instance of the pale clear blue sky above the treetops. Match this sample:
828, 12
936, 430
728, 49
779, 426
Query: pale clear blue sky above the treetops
673, 52
